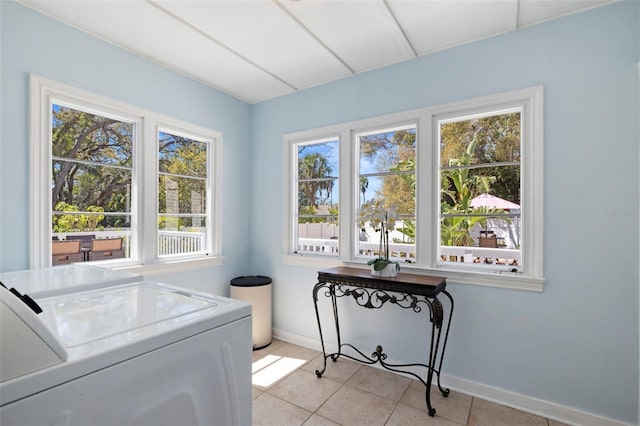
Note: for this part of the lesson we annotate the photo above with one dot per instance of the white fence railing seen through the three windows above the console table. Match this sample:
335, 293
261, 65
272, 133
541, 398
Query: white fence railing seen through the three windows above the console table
402, 252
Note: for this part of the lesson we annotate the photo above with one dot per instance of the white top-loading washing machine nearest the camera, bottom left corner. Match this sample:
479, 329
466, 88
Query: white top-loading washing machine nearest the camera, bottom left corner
141, 353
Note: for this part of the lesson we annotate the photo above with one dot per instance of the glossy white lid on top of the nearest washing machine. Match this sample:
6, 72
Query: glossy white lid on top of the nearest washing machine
125, 311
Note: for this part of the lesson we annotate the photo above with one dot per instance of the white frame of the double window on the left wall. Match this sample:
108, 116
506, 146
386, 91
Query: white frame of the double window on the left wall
144, 231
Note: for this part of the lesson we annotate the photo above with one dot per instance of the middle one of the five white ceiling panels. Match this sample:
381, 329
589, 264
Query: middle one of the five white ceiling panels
362, 33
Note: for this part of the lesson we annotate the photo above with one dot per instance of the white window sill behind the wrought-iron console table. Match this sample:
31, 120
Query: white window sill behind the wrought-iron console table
485, 279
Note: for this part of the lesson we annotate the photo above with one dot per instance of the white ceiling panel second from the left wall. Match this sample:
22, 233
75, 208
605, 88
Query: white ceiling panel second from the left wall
263, 33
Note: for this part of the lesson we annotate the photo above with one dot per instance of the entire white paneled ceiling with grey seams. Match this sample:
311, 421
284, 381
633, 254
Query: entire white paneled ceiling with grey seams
259, 49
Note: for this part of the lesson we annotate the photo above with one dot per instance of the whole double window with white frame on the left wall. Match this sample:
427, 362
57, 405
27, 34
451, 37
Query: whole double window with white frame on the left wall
108, 162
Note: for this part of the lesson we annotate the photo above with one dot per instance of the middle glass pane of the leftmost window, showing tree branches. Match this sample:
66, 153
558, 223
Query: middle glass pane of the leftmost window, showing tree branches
90, 188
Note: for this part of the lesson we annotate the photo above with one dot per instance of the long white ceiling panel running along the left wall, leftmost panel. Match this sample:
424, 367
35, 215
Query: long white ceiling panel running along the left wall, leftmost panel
166, 40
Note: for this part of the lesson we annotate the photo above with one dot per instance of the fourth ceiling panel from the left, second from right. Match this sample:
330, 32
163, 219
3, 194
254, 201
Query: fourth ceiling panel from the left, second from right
435, 25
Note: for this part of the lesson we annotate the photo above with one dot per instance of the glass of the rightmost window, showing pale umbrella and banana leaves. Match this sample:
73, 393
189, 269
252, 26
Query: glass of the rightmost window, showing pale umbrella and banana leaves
480, 185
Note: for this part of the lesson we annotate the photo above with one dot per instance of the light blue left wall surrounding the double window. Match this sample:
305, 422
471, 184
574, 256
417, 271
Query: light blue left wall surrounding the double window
33, 43
